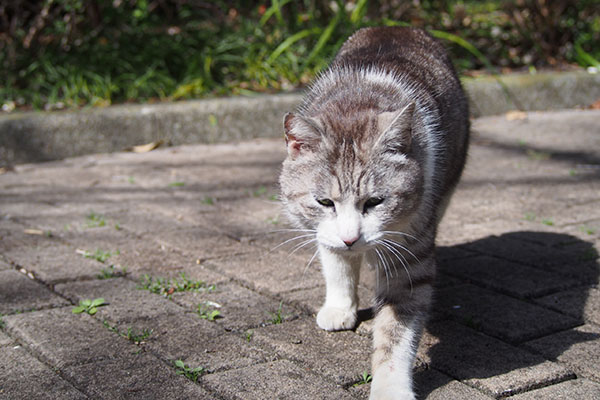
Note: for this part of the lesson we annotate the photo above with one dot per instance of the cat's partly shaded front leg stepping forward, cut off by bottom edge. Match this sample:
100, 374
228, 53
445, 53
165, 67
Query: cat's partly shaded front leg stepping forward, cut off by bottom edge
397, 331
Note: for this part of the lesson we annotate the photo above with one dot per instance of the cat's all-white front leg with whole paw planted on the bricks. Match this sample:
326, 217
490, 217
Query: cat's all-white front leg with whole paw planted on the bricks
341, 301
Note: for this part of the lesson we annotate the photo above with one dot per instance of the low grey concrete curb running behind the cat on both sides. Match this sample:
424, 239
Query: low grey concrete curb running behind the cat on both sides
38, 136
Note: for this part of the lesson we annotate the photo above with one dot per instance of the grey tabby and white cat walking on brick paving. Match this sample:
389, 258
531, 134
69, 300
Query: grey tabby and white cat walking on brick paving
374, 154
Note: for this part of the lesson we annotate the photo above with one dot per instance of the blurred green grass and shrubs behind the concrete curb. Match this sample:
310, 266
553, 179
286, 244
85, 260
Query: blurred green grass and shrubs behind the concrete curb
71, 53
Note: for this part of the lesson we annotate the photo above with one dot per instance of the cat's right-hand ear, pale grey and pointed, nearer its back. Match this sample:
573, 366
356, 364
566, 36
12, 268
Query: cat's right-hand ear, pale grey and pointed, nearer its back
395, 129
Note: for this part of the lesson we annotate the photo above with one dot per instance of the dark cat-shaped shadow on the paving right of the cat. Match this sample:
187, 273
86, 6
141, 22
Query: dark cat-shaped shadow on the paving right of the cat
498, 302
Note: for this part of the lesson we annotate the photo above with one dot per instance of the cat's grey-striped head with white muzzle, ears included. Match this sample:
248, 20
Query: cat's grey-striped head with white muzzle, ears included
352, 178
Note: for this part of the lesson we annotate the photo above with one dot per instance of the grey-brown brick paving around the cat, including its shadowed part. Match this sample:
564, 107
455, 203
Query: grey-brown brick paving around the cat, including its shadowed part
517, 311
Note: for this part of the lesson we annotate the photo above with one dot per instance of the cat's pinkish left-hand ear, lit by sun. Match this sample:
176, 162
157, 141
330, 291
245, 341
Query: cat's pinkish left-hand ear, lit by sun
301, 134
